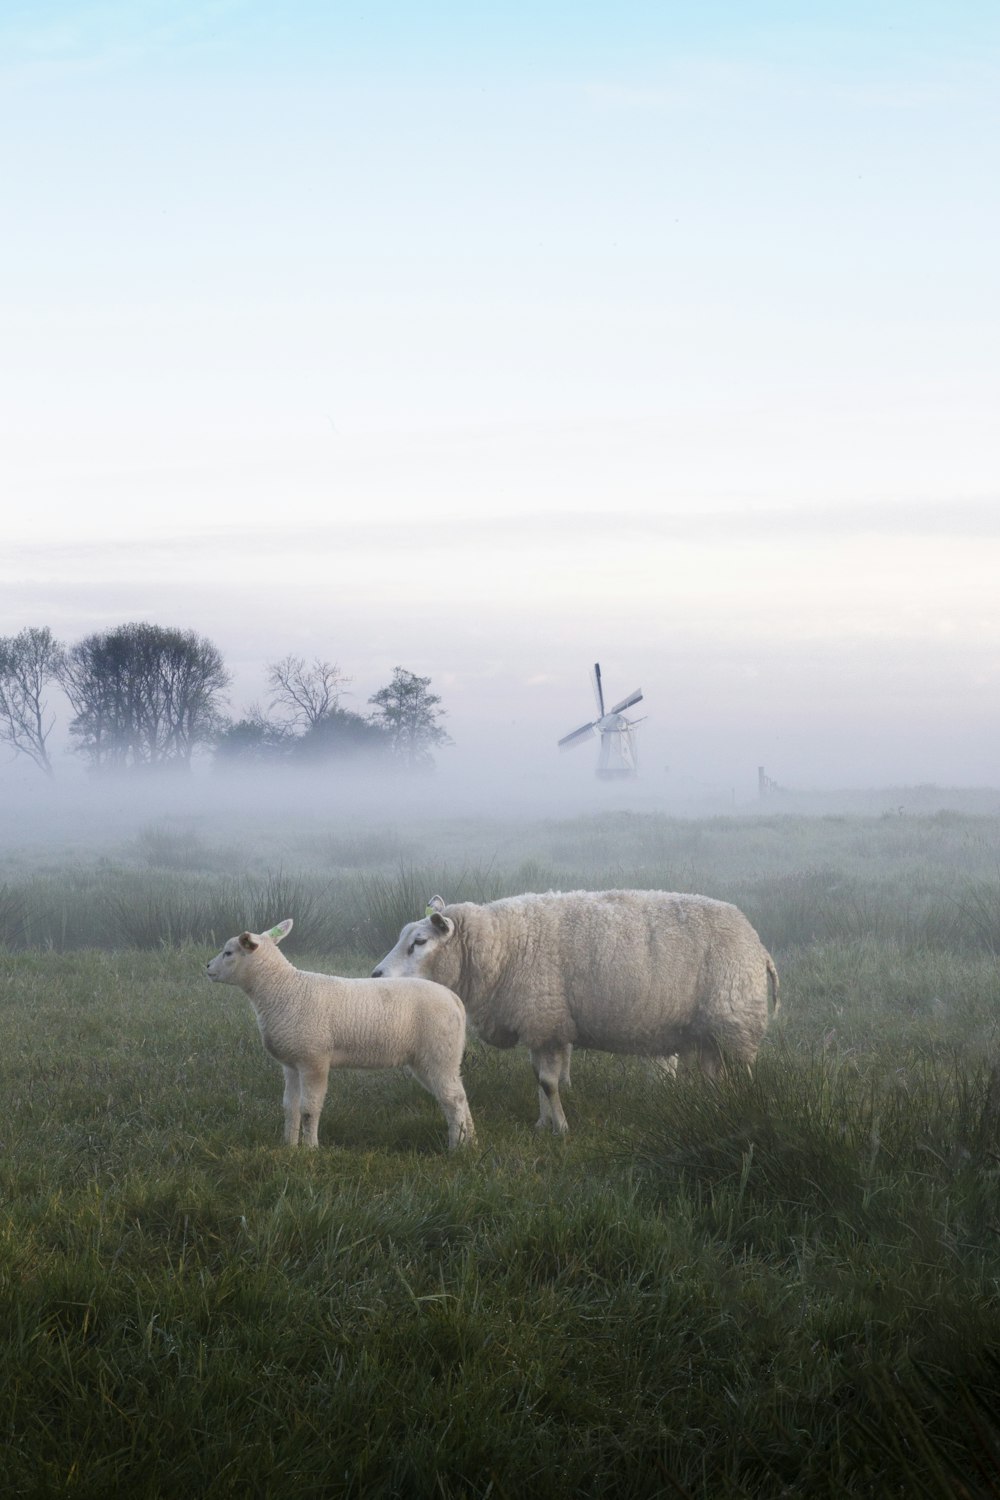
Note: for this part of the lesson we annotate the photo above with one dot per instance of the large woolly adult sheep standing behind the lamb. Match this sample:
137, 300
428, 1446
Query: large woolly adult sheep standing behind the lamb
647, 973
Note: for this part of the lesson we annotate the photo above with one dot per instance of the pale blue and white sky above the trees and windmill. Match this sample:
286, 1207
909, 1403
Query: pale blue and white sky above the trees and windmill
494, 341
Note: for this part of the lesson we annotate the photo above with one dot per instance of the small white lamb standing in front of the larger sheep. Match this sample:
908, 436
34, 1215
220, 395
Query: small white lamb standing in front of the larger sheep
316, 1022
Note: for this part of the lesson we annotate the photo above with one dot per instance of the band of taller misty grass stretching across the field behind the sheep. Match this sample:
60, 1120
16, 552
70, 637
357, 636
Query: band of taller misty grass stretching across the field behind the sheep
364, 911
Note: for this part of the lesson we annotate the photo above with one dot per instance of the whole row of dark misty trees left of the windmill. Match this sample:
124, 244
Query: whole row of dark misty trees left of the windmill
149, 697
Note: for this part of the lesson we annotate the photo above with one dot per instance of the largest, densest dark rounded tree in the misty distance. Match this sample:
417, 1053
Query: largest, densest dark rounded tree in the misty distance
145, 695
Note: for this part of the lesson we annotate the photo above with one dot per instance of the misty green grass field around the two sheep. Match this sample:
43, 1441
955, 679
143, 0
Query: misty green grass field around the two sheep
782, 1286
